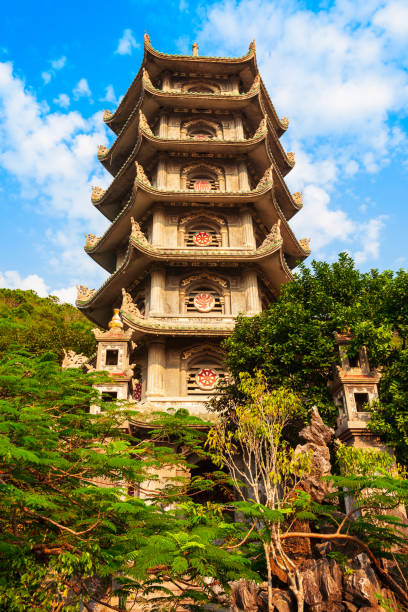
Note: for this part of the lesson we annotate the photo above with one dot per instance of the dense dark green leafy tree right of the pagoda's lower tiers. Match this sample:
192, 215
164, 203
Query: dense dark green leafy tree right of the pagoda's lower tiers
293, 341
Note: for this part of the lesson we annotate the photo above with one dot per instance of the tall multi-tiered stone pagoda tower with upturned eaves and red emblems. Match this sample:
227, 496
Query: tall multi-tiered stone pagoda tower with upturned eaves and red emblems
199, 230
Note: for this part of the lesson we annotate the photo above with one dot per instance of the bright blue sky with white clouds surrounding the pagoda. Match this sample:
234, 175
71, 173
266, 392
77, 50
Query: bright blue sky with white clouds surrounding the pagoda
338, 70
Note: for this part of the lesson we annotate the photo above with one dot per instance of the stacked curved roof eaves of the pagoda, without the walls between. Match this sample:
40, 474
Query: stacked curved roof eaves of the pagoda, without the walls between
131, 195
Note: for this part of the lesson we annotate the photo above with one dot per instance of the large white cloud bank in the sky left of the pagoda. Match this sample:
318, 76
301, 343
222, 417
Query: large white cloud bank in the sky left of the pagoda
53, 157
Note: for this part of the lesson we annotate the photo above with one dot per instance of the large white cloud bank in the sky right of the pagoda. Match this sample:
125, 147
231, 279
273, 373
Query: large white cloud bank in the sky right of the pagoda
338, 73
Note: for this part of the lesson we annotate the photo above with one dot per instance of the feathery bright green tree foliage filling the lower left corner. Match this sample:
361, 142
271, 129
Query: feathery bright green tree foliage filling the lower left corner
68, 523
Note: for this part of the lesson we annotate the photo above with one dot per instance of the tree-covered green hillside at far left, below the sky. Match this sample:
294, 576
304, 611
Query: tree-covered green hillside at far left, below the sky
42, 324
